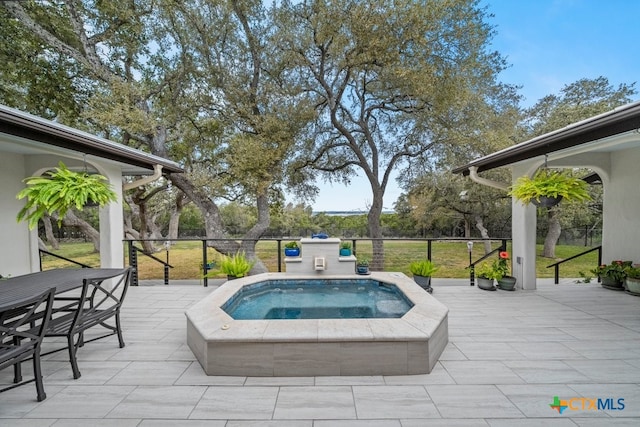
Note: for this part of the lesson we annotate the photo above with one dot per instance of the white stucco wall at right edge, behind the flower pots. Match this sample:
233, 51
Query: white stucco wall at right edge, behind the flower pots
621, 233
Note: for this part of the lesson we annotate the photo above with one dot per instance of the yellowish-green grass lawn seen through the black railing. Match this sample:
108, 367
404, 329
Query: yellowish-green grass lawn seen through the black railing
452, 257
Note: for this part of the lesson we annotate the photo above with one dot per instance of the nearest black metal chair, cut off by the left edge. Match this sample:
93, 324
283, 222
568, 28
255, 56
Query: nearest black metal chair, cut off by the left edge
22, 329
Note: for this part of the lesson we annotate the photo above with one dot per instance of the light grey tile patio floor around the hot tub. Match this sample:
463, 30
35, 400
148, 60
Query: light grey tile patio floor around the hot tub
509, 354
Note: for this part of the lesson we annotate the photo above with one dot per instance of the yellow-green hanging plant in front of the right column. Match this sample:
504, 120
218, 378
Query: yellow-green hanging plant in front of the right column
548, 187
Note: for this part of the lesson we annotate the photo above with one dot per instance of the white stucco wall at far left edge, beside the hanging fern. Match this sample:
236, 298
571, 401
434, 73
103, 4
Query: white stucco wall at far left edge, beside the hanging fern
15, 252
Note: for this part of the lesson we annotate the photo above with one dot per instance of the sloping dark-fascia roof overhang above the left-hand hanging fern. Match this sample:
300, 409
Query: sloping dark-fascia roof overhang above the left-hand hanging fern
27, 134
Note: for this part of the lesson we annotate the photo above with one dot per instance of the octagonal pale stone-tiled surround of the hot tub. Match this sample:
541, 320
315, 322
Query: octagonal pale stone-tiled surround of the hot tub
411, 344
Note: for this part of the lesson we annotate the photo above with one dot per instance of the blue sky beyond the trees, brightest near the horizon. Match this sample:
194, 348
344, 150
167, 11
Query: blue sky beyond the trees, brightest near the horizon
548, 44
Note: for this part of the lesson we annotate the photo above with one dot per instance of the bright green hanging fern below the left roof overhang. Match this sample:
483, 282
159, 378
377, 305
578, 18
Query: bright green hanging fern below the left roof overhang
61, 189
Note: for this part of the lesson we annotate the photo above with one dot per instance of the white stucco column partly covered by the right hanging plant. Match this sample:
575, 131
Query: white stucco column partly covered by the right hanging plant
523, 232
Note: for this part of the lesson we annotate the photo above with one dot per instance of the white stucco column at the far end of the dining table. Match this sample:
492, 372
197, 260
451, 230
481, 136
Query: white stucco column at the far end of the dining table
112, 224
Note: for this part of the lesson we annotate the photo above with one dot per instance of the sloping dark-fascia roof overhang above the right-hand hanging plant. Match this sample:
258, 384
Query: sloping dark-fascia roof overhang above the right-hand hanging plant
620, 120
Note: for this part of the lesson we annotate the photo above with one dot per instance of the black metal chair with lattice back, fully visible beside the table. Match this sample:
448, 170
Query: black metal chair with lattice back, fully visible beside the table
100, 300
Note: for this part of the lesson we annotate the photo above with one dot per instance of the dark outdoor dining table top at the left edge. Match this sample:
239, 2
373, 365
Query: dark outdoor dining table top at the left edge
16, 289
